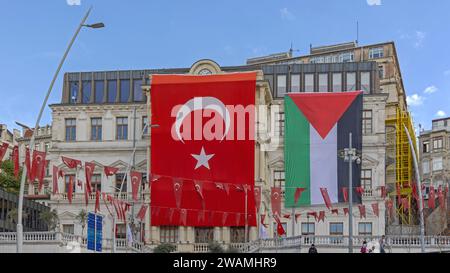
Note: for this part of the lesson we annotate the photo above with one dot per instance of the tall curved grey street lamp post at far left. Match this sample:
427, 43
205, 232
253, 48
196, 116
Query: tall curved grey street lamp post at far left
36, 127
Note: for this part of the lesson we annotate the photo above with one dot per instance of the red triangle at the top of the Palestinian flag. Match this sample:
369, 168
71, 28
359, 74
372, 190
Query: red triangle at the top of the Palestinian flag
312, 106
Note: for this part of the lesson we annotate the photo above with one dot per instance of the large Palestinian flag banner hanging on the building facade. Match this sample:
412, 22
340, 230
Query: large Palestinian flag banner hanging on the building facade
317, 130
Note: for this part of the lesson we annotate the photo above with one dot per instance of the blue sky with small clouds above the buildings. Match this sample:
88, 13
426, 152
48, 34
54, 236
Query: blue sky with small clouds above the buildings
161, 34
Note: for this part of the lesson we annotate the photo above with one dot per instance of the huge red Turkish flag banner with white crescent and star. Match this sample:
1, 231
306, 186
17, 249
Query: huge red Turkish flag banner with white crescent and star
206, 133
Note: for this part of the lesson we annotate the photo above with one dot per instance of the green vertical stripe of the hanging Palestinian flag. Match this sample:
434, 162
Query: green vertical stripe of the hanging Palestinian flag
296, 164
